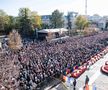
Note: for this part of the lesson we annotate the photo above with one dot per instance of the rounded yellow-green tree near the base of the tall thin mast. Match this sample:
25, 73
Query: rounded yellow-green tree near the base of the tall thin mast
81, 22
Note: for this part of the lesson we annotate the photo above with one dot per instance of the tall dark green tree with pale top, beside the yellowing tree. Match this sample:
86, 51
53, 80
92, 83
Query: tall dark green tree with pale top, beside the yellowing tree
26, 28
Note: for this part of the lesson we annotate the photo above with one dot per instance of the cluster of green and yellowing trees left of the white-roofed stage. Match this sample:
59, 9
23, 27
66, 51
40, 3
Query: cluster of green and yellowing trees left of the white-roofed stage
25, 22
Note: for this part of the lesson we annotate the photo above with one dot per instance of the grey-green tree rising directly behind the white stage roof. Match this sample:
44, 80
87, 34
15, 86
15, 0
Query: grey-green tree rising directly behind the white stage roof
57, 19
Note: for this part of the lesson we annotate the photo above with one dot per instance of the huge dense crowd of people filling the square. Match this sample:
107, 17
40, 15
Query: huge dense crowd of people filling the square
37, 61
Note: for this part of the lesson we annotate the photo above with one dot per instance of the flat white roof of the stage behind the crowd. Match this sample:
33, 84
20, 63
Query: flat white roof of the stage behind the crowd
52, 30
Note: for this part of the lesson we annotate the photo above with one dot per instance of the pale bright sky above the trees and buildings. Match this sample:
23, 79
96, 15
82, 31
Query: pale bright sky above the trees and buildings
45, 7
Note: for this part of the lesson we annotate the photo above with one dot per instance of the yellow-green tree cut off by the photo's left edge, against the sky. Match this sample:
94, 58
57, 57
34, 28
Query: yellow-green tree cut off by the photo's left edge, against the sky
7, 23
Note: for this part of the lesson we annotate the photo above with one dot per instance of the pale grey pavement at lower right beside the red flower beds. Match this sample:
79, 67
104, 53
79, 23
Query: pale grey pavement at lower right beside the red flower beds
94, 75
